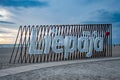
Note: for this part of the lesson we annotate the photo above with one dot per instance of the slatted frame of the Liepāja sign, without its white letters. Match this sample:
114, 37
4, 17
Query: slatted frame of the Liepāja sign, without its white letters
22, 42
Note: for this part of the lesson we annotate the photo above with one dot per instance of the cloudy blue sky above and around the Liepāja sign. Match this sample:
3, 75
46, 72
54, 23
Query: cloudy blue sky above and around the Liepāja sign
14, 13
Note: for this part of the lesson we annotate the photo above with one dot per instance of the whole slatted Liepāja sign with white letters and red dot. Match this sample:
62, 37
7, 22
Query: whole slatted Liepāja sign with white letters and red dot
46, 43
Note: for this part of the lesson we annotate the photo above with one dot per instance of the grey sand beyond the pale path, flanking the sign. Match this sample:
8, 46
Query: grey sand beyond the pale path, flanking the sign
5, 54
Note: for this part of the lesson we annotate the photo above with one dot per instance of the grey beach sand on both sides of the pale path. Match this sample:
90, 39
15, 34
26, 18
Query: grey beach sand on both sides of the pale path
84, 71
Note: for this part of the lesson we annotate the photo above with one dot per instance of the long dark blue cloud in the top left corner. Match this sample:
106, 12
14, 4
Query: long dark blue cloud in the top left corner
23, 3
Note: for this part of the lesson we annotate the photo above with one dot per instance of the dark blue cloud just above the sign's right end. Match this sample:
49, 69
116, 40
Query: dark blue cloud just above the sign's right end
104, 16
